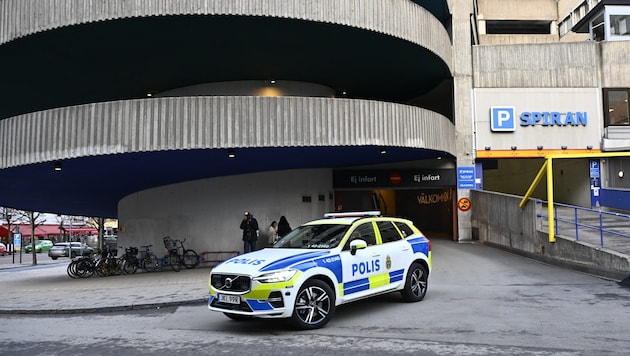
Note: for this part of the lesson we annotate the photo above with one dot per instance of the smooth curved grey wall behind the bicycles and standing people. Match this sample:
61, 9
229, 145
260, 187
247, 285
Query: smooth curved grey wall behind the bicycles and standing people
208, 212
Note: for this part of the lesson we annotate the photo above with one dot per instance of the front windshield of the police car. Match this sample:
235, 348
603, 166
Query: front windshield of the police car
313, 236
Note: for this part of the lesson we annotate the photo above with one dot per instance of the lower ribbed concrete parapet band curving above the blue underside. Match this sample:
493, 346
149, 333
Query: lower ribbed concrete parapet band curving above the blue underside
213, 122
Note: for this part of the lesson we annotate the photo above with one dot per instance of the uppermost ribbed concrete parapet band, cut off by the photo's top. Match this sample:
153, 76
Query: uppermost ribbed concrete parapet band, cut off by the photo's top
398, 18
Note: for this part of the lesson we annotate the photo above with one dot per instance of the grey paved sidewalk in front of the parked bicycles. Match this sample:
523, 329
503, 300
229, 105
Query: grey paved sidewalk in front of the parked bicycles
47, 288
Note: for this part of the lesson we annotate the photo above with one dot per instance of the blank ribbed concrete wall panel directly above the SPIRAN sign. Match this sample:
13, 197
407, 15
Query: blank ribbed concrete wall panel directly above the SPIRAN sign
557, 65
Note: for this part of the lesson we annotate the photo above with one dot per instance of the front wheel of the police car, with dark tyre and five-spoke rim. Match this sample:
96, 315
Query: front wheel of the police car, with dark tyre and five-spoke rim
314, 305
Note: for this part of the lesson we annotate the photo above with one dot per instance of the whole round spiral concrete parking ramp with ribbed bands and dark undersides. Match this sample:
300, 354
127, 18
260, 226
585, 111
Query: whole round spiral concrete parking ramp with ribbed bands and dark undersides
159, 164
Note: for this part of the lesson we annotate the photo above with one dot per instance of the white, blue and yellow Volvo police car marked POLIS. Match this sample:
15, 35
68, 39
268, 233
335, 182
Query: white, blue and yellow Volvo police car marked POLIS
321, 265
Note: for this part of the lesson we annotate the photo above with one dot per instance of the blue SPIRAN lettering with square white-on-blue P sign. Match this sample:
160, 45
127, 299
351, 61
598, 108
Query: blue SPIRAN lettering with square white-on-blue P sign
505, 118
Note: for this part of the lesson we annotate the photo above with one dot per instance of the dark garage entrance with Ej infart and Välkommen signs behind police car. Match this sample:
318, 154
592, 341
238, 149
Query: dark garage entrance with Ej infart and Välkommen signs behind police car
426, 197
